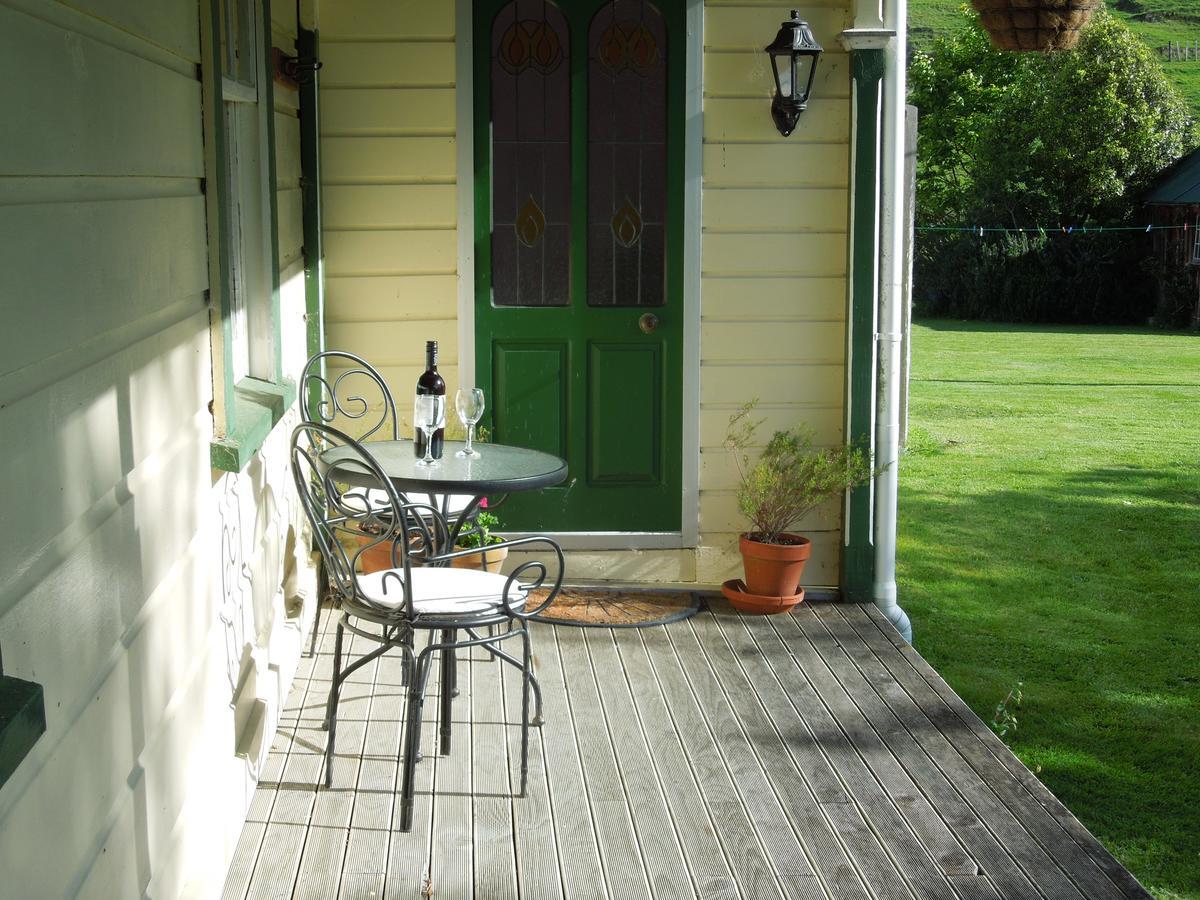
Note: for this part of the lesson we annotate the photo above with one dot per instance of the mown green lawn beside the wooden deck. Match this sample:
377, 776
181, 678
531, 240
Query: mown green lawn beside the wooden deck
1051, 535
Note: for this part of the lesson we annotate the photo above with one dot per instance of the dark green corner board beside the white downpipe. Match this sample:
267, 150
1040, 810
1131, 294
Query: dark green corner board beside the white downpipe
859, 557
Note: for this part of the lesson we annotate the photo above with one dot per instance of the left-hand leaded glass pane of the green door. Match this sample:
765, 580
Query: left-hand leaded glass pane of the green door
531, 157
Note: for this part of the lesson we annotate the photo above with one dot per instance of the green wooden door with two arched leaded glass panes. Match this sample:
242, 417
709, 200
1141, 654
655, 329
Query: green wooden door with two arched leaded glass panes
579, 267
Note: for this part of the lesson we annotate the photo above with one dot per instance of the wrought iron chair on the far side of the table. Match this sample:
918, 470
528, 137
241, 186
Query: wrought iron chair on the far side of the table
341, 389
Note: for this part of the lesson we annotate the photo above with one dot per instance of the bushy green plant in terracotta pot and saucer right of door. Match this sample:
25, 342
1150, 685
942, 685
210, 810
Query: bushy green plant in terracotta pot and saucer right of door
790, 479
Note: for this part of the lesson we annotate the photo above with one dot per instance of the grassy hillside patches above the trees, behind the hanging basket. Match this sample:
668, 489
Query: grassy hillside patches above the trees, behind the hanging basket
1157, 22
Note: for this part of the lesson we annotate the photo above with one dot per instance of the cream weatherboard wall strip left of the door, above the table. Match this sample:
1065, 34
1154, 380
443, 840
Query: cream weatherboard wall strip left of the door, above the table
388, 185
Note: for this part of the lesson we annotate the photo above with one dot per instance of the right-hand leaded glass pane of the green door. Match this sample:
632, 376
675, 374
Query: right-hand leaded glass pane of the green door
627, 155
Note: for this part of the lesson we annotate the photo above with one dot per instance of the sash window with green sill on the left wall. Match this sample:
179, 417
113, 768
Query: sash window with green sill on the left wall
250, 393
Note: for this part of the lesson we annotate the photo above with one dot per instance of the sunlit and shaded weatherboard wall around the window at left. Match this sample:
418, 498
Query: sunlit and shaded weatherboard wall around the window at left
143, 590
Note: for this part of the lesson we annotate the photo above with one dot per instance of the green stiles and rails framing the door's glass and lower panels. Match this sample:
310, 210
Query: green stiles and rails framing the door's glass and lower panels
579, 323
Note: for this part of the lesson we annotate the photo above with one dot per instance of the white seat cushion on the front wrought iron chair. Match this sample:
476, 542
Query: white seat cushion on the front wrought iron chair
443, 592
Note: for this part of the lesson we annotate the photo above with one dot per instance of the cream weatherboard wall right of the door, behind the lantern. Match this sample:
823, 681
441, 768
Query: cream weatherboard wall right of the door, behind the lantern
775, 262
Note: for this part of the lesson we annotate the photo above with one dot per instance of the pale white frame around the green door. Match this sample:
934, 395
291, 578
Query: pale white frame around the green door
694, 135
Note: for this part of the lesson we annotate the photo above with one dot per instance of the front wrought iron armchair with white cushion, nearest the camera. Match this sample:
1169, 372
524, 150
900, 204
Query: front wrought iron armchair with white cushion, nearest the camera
389, 608
